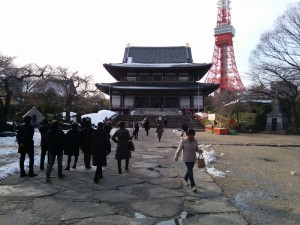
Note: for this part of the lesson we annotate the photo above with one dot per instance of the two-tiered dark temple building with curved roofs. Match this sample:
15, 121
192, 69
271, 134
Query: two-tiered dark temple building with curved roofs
158, 79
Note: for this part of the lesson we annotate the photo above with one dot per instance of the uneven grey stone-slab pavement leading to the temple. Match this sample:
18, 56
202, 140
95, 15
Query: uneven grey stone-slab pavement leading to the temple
151, 192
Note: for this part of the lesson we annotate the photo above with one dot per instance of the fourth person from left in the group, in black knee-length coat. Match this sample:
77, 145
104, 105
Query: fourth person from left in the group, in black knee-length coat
72, 145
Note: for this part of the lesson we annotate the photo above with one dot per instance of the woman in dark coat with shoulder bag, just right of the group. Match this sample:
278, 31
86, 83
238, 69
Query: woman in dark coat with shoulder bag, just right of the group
122, 138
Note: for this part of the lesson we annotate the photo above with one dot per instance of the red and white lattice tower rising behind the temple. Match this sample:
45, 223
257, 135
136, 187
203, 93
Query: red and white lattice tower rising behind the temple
224, 70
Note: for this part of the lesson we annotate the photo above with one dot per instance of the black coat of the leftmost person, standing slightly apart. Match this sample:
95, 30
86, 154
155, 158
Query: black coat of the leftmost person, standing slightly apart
25, 139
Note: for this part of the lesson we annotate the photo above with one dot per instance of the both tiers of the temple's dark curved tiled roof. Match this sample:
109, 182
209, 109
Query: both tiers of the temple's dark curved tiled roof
150, 60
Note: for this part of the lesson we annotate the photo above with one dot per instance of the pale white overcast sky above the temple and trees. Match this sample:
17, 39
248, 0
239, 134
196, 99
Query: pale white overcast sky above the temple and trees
82, 35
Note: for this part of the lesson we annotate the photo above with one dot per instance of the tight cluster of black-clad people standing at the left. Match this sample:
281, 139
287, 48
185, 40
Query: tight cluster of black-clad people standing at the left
95, 145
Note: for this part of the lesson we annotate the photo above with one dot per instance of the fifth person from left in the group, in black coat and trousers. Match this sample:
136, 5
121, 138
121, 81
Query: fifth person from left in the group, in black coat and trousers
85, 143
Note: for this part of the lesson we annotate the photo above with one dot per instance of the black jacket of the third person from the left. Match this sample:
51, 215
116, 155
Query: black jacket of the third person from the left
56, 140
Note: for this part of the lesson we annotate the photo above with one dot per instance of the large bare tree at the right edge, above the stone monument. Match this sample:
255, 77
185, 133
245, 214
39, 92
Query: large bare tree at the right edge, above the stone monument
275, 62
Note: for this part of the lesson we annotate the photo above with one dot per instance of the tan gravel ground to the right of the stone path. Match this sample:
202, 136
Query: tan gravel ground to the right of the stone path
259, 178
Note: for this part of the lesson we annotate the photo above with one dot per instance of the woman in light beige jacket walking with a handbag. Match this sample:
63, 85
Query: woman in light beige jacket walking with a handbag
189, 147
